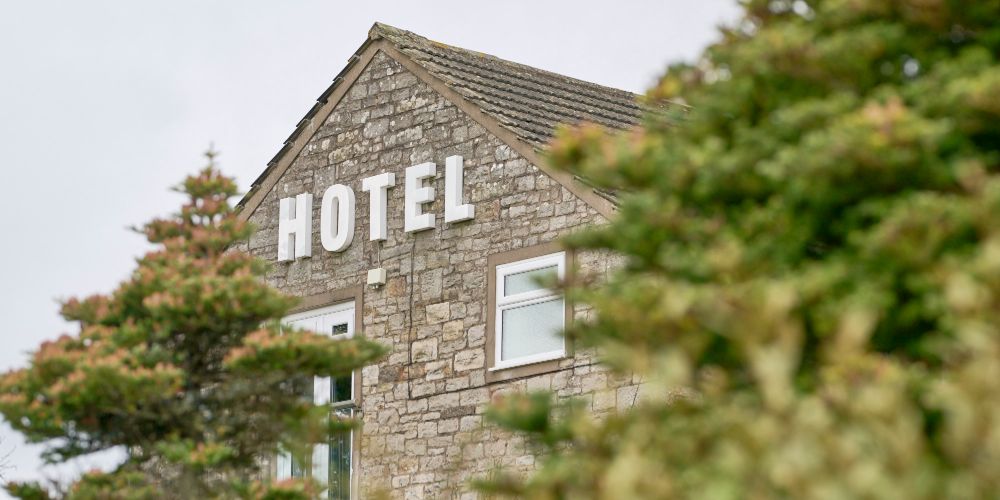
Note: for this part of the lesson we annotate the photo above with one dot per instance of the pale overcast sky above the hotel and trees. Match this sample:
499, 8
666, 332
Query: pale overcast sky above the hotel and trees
105, 104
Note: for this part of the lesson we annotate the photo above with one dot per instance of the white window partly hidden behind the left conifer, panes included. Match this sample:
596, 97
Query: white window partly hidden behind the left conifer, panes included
331, 463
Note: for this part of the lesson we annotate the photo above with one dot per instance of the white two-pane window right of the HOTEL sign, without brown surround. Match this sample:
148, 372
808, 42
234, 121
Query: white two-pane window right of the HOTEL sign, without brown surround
530, 317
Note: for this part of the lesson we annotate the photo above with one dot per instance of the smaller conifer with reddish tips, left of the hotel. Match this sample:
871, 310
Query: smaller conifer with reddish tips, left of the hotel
183, 366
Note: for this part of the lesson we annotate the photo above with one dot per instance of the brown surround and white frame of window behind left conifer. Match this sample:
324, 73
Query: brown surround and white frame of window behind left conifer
325, 303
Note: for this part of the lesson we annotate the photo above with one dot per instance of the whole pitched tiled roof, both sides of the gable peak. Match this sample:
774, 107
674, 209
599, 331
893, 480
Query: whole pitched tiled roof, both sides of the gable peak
528, 102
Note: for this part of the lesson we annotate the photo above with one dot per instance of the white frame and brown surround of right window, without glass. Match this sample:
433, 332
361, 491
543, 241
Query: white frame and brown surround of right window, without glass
513, 262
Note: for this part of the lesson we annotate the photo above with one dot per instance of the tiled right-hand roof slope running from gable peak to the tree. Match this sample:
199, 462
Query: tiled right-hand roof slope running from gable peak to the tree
528, 101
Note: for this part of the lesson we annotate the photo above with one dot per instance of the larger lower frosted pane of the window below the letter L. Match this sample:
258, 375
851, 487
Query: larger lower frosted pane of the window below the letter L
534, 329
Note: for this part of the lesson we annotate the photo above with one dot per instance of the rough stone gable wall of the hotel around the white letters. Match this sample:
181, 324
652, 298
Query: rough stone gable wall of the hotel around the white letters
422, 405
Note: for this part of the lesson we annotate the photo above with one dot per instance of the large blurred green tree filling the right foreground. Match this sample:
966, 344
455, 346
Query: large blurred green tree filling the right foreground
810, 286
